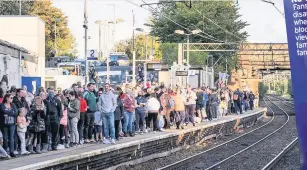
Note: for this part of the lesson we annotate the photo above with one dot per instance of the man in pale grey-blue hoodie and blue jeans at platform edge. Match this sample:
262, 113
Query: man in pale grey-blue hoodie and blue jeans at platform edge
107, 105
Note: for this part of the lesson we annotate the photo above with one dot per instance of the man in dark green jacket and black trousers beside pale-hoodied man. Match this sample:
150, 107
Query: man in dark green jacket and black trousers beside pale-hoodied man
90, 98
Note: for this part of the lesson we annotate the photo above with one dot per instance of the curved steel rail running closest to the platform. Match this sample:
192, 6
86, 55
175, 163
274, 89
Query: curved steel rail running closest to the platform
193, 156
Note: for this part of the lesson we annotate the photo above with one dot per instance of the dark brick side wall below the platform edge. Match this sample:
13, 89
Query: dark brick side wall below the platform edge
143, 149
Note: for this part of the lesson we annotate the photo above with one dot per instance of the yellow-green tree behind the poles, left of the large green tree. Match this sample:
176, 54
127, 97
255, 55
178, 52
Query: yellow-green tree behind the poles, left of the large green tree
140, 47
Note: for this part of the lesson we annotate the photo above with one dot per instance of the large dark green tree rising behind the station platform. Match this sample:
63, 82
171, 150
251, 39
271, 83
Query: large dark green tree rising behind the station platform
200, 16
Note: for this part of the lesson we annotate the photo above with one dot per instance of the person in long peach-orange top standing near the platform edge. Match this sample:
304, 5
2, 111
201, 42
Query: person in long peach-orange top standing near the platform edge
179, 109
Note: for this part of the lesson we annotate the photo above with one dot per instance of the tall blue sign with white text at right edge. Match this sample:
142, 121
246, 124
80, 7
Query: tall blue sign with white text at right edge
296, 22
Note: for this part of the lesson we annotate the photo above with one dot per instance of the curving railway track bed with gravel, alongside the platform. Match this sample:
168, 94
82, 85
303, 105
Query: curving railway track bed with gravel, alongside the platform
245, 151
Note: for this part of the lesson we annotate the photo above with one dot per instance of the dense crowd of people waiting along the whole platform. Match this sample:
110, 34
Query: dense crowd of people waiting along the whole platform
54, 119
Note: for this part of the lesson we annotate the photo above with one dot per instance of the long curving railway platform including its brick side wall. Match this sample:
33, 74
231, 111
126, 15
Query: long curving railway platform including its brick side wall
131, 150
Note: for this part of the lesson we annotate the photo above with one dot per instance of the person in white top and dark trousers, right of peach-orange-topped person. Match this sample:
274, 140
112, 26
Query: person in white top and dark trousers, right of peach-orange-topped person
190, 106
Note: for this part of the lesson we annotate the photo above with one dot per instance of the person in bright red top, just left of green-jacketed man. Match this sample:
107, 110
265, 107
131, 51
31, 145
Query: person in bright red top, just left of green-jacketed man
83, 108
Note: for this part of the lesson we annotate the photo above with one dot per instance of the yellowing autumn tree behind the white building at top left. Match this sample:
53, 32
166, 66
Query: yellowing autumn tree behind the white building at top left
65, 42
